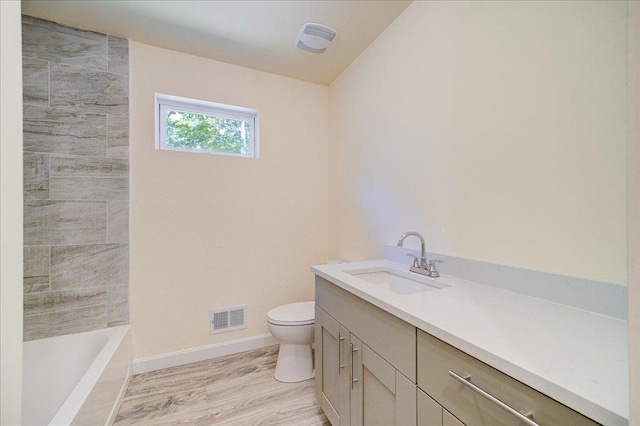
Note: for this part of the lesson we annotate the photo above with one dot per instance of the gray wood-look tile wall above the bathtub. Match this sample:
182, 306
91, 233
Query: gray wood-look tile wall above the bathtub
76, 179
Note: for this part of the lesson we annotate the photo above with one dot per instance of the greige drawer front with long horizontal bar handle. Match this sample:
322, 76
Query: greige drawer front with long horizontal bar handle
436, 359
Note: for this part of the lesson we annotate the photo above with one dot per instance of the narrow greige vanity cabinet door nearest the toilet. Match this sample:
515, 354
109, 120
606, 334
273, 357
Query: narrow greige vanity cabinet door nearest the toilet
331, 369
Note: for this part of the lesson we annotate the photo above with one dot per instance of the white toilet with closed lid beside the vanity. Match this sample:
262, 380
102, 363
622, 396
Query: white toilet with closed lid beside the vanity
293, 326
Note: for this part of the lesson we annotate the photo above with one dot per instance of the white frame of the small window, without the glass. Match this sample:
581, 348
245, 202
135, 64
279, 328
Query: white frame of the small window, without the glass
164, 103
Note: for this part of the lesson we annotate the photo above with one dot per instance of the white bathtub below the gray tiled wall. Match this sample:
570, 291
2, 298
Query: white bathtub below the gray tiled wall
76, 379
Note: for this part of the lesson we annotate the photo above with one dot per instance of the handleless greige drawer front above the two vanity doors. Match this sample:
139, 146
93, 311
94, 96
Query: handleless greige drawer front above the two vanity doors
389, 336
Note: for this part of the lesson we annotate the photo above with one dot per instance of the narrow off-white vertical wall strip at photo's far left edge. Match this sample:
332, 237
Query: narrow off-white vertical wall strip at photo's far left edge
11, 216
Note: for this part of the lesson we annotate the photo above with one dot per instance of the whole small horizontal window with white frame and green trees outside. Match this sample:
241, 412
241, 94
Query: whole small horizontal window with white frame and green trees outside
192, 125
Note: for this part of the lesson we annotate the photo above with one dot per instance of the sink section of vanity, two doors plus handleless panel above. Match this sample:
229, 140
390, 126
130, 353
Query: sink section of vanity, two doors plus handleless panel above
359, 352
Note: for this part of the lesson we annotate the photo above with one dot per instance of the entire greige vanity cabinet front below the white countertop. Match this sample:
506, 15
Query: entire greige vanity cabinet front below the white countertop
373, 368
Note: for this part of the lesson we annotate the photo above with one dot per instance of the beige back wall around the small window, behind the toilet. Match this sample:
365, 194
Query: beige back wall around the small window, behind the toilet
212, 231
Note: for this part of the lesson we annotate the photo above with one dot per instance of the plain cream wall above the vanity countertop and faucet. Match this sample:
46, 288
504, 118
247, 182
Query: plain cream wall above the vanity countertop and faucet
496, 129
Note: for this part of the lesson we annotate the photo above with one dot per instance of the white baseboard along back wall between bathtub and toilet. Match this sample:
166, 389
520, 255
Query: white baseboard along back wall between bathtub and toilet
172, 359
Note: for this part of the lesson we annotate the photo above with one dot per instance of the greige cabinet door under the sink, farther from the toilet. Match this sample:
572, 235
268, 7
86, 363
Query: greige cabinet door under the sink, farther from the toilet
380, 395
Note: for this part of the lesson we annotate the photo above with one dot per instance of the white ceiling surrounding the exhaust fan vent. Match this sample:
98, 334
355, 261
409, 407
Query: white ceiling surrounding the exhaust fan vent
254, 34
